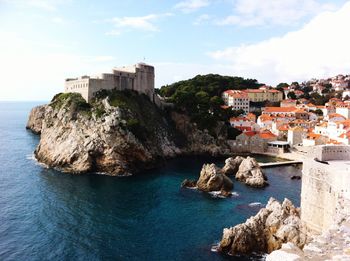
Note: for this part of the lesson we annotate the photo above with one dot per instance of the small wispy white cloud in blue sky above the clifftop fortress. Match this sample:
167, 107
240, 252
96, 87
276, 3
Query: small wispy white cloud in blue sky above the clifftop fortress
144, 23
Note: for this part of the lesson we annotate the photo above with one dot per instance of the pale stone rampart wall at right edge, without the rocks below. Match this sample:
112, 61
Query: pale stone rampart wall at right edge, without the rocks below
325, 192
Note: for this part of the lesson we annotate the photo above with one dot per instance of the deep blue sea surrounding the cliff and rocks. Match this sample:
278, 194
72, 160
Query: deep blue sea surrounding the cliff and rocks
48, 215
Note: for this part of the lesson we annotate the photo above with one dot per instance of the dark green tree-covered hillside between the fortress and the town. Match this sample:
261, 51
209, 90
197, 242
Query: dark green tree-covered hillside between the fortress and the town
200, 97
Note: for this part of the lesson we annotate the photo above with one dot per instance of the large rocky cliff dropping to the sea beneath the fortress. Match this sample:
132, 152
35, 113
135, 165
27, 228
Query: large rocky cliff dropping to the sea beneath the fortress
118, 133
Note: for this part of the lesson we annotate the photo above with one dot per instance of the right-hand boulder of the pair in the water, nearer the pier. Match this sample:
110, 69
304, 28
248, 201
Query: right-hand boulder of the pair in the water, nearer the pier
250, 173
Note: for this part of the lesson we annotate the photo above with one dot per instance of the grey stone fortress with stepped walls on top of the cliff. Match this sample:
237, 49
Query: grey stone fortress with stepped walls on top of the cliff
138, 77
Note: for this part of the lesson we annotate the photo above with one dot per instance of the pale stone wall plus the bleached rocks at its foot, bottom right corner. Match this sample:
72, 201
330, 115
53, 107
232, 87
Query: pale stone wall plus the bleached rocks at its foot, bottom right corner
325, 207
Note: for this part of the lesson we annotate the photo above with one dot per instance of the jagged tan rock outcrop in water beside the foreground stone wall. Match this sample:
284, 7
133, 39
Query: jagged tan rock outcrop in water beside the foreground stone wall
273, 225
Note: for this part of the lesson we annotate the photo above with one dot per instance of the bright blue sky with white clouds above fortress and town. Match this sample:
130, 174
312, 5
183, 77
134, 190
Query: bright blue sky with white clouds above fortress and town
43, 42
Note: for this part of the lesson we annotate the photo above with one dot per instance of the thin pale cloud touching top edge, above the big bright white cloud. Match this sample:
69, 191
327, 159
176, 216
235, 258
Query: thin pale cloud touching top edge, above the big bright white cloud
272, 12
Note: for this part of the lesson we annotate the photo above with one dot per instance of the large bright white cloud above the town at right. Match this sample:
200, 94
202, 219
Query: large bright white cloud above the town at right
319, 49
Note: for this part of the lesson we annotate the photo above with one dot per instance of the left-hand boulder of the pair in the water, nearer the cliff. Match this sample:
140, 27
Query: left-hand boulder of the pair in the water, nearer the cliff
212, 179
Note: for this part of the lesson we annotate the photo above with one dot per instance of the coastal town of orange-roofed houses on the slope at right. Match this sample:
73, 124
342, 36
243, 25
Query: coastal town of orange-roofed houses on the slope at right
275, 119
